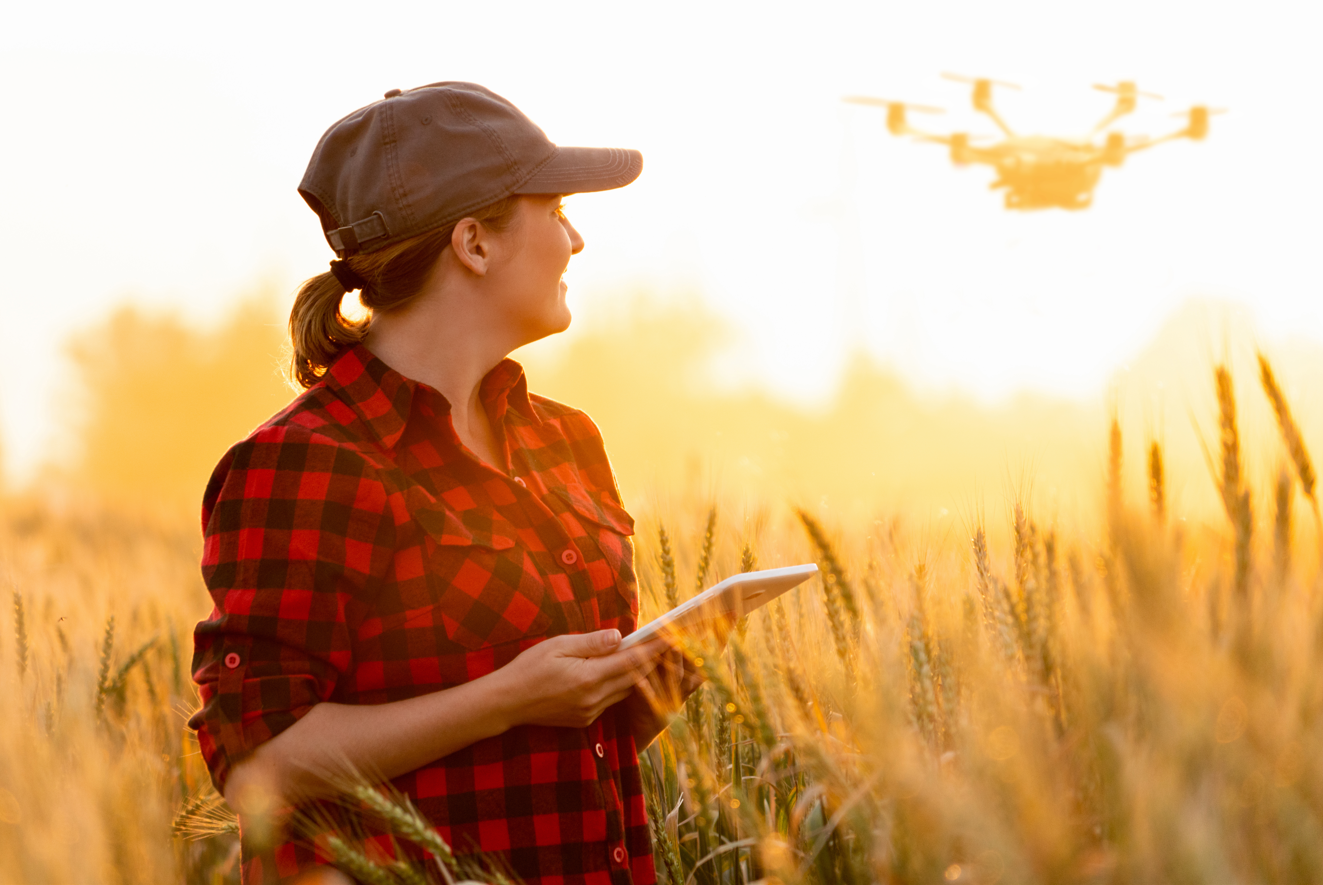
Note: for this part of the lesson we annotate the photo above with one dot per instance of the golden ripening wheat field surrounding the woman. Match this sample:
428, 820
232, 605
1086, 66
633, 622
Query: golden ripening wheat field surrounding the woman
1134, 699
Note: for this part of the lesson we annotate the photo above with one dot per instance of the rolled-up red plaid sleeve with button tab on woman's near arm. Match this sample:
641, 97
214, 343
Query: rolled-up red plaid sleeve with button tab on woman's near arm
297, 534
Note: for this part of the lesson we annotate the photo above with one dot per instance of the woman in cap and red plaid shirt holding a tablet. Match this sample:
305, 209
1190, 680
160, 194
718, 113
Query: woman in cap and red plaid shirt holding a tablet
420, 569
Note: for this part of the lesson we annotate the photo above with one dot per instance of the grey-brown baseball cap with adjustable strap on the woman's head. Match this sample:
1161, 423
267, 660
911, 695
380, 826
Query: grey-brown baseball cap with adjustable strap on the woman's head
425, 158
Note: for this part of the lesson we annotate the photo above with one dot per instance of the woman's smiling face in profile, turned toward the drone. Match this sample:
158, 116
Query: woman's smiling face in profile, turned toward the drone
531, 290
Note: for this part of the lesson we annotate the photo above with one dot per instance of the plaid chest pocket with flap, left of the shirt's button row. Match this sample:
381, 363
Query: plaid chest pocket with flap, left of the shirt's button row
486, 588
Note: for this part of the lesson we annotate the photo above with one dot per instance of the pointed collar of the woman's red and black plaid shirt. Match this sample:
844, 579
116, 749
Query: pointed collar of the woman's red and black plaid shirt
383, 399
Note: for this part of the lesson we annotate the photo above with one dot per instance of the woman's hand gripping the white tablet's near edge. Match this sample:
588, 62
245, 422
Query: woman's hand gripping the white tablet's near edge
570, 681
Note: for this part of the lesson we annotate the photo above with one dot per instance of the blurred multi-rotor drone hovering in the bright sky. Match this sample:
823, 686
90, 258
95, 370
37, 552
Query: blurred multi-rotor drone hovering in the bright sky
1035, 171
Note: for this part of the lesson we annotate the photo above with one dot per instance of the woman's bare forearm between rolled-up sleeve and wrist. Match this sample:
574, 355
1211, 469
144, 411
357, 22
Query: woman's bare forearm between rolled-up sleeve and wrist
384, 740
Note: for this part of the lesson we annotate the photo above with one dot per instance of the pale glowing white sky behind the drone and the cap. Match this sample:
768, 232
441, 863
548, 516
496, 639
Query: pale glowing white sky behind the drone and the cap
151, 154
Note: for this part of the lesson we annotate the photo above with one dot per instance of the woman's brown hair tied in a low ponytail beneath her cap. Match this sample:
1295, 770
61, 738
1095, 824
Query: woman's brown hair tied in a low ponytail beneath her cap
391, 276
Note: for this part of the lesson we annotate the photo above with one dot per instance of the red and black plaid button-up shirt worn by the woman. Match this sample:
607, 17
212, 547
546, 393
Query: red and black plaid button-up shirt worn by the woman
359, 554
